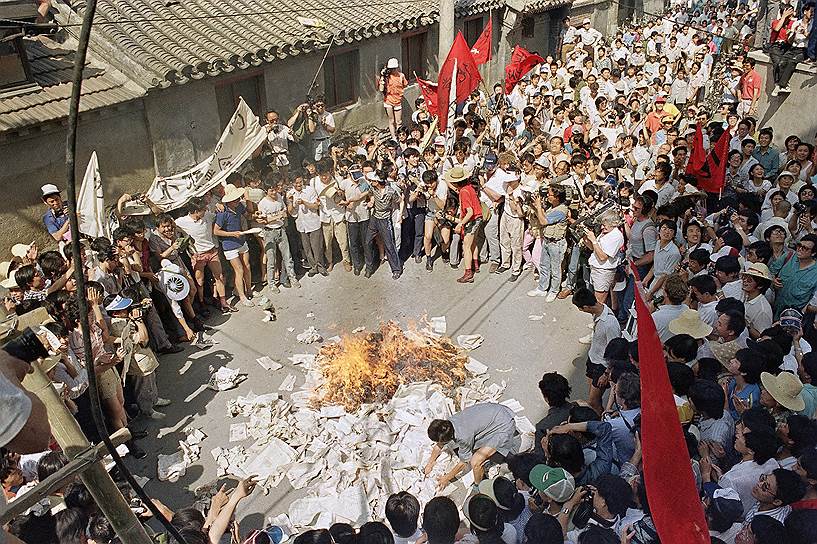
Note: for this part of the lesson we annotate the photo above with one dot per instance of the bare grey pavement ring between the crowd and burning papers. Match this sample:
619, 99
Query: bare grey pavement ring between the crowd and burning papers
516, 349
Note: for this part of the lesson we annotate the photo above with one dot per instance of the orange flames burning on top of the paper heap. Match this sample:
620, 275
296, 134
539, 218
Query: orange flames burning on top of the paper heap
369, 367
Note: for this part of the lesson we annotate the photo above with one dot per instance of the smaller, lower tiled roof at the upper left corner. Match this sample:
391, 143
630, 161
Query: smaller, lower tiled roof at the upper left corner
51, 66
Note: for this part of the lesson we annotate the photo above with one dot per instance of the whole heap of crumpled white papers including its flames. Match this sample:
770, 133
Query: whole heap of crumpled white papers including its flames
366, 436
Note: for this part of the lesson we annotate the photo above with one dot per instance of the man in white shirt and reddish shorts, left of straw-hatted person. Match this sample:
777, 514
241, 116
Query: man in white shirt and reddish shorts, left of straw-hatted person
198, 224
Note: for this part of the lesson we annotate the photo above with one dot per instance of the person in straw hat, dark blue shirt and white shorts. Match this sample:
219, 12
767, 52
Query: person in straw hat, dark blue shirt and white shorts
228, 228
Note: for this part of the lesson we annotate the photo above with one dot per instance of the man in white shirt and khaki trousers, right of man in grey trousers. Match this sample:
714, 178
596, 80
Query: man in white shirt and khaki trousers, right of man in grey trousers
333, 215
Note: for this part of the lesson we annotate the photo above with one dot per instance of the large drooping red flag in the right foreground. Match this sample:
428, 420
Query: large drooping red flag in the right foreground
674, 503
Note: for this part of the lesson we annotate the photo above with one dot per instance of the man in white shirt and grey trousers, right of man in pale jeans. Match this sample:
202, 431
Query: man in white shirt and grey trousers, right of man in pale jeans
303, 205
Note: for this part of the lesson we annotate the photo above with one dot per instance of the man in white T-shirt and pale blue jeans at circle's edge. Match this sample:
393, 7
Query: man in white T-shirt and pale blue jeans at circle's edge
272, 216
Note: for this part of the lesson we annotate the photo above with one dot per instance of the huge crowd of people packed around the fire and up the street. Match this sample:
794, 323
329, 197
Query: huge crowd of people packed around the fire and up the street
576, 183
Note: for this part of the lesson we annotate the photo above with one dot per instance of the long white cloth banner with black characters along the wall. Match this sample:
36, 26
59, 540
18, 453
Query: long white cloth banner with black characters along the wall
242, 136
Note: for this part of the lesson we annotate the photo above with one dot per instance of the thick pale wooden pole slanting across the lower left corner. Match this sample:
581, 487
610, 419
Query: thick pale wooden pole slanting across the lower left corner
72, 440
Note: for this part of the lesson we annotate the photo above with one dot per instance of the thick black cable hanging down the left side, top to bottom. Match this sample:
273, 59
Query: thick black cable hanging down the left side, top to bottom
79, 274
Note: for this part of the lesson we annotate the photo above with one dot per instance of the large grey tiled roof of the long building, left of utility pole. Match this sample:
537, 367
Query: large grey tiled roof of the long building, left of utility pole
173, 42
